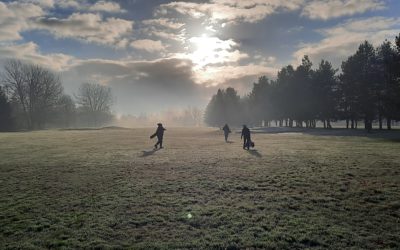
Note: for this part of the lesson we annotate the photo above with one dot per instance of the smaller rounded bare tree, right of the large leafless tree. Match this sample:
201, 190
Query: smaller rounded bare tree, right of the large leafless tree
96, 100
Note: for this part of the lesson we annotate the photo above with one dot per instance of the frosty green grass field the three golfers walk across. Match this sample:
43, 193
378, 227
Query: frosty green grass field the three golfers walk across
108, 189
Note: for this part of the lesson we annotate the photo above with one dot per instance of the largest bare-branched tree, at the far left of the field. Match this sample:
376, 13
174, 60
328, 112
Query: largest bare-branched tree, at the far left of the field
35, 88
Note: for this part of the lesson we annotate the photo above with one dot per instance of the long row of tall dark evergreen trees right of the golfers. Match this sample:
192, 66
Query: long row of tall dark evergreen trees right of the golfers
366, 89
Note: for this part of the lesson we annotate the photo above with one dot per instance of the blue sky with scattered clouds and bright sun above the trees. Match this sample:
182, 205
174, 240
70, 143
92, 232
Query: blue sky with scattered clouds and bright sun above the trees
158, 55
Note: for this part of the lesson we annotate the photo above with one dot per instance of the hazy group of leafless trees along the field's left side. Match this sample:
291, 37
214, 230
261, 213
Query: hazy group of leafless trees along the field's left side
32, 97
